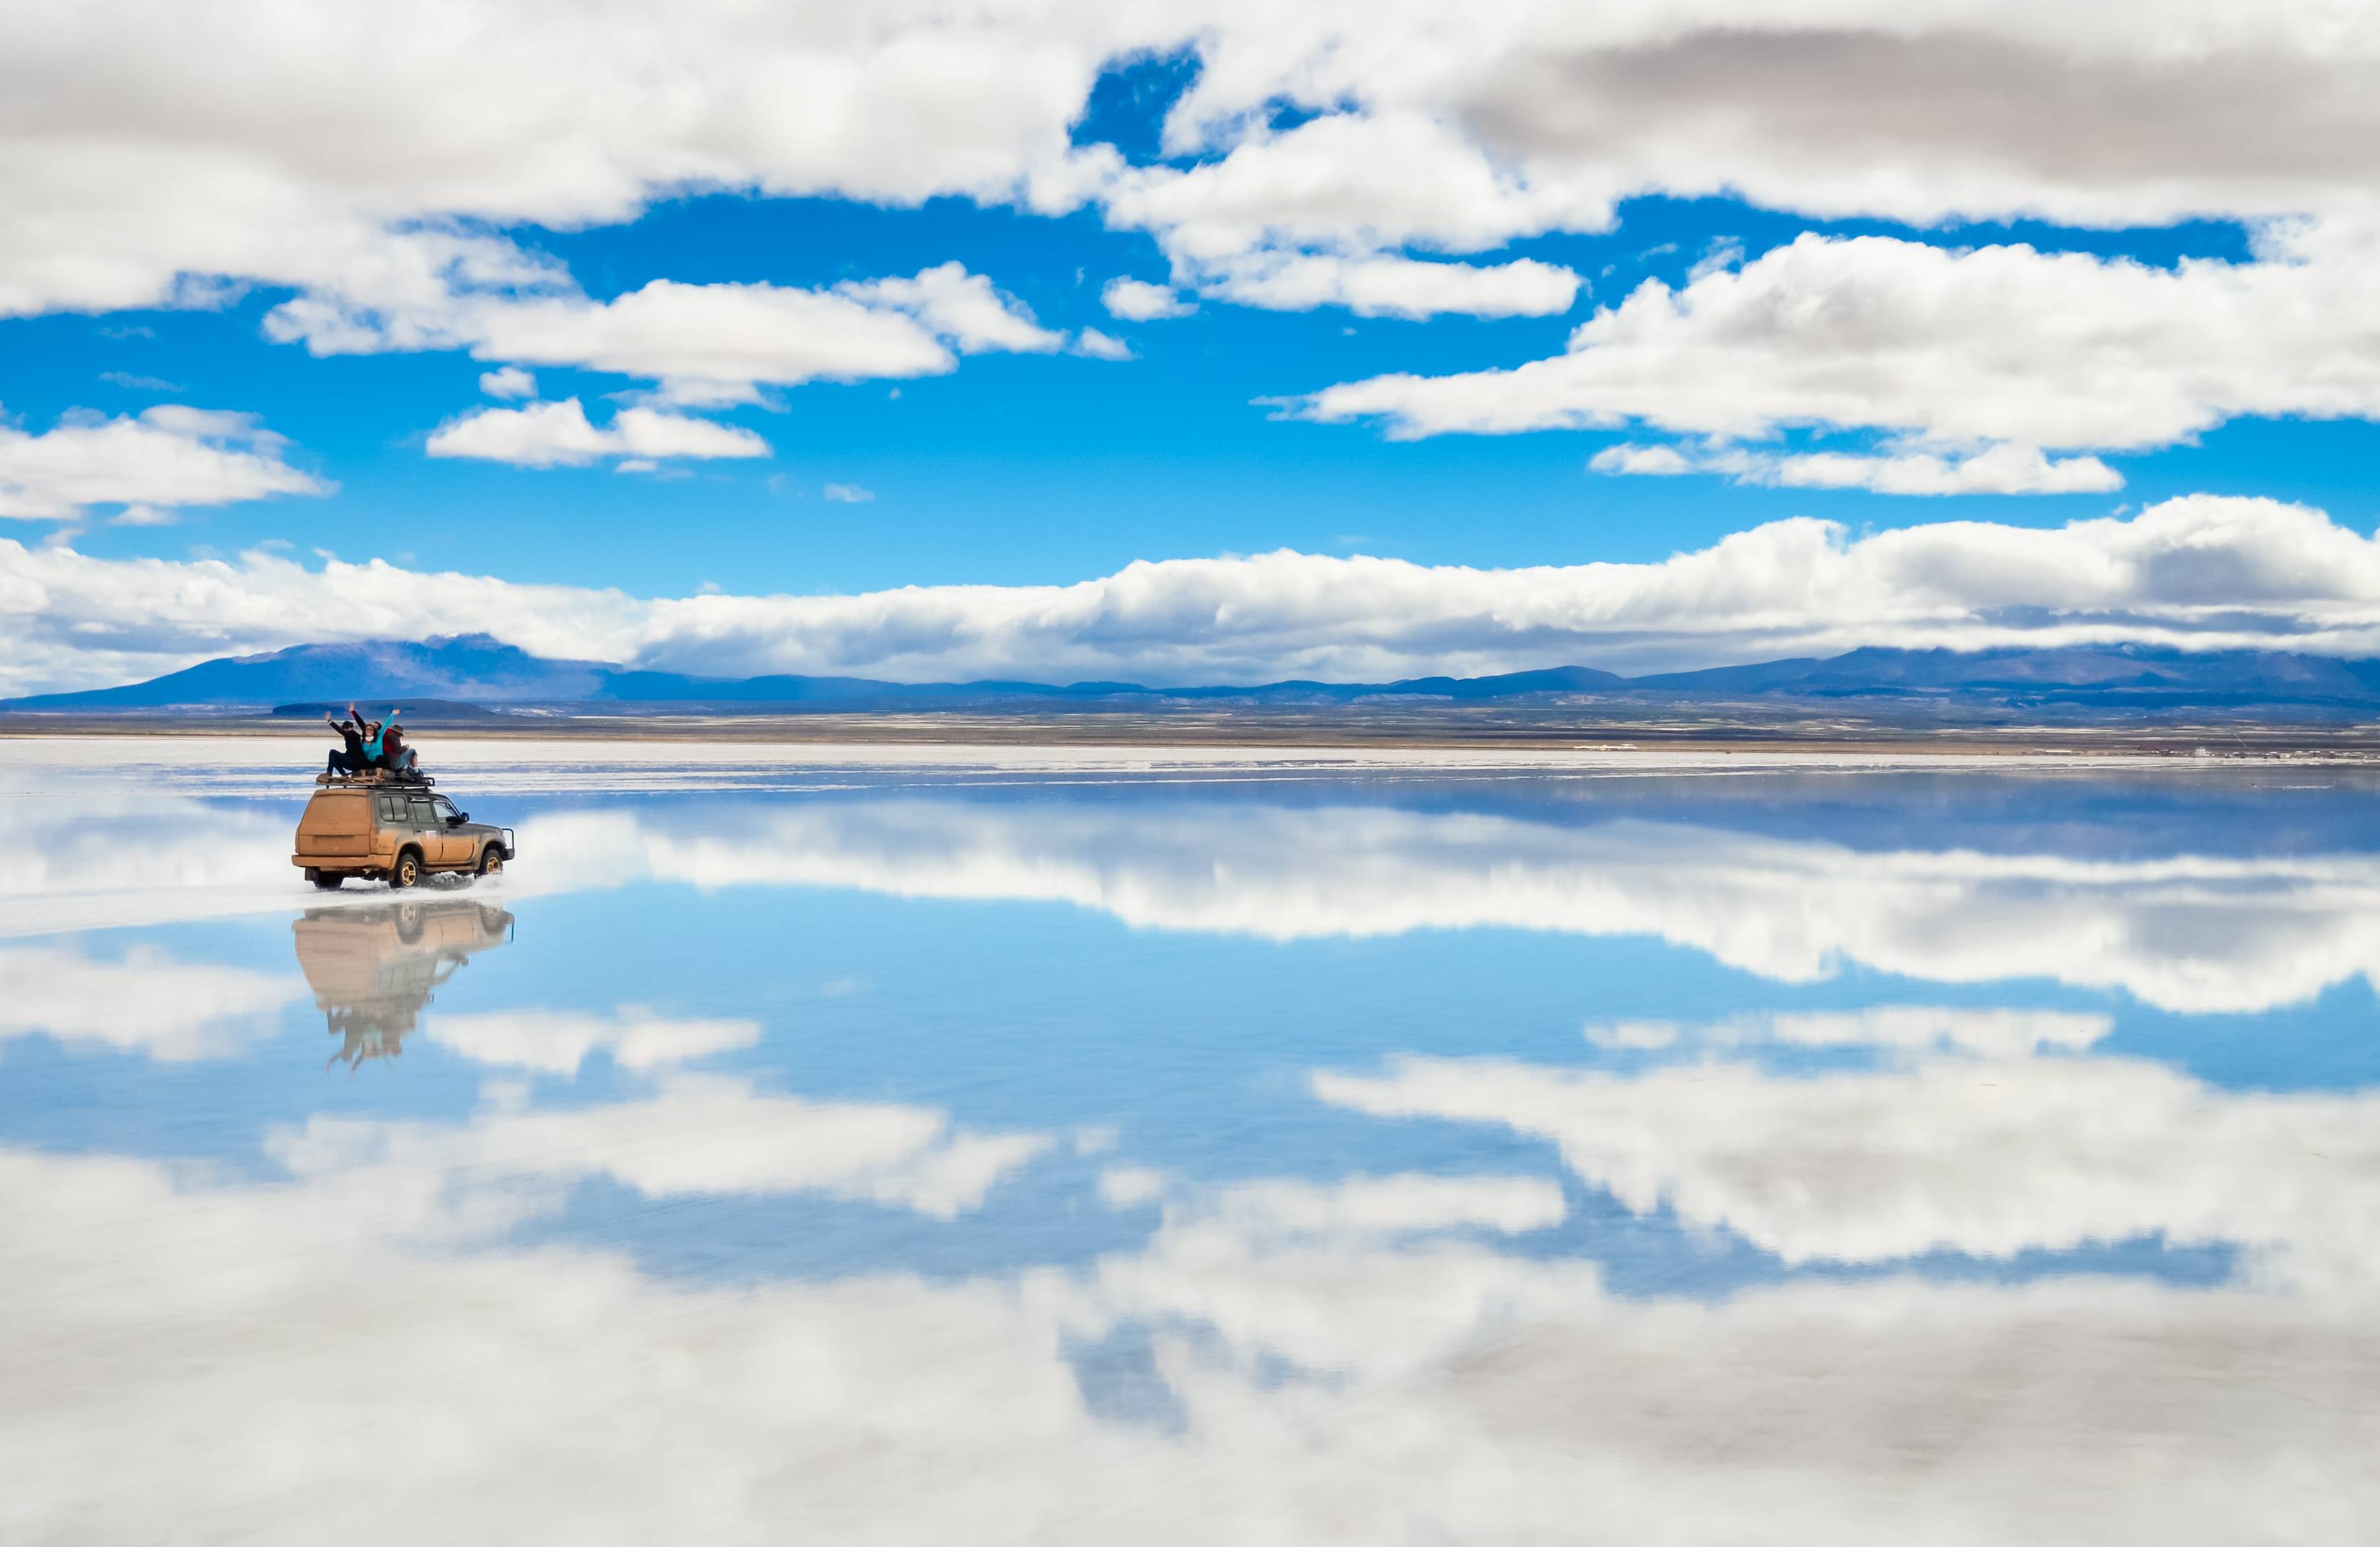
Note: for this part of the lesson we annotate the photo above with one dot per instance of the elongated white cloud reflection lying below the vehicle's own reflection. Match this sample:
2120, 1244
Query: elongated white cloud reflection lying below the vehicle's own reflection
694, 1136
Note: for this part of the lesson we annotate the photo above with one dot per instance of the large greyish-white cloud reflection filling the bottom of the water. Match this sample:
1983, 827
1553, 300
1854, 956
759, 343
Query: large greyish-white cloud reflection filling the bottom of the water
1358, 1389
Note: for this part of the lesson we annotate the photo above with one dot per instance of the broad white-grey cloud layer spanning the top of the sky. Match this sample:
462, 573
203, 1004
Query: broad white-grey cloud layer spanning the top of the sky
394, 151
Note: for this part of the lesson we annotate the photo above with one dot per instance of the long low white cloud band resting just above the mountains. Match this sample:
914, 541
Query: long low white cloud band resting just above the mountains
2196, 572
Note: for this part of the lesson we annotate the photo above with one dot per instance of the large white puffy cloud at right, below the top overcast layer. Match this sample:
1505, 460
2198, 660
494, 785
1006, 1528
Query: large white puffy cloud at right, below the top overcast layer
2000, 346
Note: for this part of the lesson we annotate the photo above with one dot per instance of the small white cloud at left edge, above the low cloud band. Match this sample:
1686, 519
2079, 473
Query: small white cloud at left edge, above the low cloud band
163, 461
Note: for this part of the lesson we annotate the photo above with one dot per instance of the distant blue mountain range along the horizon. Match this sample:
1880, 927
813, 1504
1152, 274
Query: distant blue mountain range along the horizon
477, 675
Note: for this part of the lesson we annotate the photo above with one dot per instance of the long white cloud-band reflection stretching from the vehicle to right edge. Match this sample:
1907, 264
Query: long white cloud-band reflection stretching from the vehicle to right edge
2184, 932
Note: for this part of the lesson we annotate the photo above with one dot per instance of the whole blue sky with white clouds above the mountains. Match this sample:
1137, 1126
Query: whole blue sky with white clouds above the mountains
1750, 313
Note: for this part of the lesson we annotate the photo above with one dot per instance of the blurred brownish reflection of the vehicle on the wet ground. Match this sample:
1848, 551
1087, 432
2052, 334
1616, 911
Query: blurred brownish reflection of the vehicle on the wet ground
375, 967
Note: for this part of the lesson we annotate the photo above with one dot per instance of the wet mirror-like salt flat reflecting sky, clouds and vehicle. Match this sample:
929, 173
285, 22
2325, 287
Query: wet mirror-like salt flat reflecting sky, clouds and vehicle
870, 1148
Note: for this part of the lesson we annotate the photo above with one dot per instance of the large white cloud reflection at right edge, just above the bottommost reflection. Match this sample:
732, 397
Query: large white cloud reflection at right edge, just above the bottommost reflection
1941, 1153
